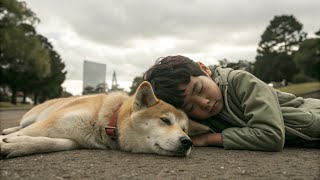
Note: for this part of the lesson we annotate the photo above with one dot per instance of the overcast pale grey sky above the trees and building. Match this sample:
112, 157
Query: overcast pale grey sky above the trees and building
129, 35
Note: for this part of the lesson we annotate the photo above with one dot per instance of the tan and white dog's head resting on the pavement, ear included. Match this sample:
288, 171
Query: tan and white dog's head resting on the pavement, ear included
155, 126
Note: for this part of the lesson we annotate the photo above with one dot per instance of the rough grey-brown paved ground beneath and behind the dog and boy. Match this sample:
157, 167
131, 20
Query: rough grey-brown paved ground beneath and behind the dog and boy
203, 163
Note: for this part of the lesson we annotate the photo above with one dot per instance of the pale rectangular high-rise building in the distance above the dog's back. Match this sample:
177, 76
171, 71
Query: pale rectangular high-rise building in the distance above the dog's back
94, 77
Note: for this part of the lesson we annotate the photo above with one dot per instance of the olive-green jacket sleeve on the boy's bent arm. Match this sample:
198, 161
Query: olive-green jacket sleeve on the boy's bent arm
264, 128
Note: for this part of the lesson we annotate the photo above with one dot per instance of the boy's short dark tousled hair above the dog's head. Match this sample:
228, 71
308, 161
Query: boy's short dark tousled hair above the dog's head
169, 72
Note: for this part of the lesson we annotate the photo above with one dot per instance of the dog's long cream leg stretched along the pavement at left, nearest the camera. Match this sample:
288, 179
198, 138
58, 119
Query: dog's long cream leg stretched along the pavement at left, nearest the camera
25, 145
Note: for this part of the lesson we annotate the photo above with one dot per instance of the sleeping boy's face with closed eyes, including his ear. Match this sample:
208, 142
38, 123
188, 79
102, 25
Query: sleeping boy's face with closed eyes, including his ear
203, 96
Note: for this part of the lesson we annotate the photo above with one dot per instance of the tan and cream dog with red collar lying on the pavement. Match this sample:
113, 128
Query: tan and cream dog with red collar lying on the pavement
139, 124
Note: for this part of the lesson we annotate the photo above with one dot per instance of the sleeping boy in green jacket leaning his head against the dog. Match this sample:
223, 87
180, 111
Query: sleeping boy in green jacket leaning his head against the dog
242, 111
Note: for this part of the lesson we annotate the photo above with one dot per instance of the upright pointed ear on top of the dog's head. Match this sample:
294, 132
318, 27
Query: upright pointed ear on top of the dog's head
144, 97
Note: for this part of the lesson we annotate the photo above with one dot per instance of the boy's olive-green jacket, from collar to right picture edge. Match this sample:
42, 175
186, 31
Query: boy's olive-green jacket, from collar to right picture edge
258, 117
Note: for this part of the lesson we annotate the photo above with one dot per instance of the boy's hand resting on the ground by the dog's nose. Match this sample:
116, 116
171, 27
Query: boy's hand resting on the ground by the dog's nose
207, 139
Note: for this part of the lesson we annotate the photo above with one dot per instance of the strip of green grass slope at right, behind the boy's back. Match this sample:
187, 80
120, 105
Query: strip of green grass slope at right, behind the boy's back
303, 88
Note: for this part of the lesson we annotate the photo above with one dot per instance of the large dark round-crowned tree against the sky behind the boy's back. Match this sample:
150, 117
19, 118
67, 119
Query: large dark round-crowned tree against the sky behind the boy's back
274, 61
